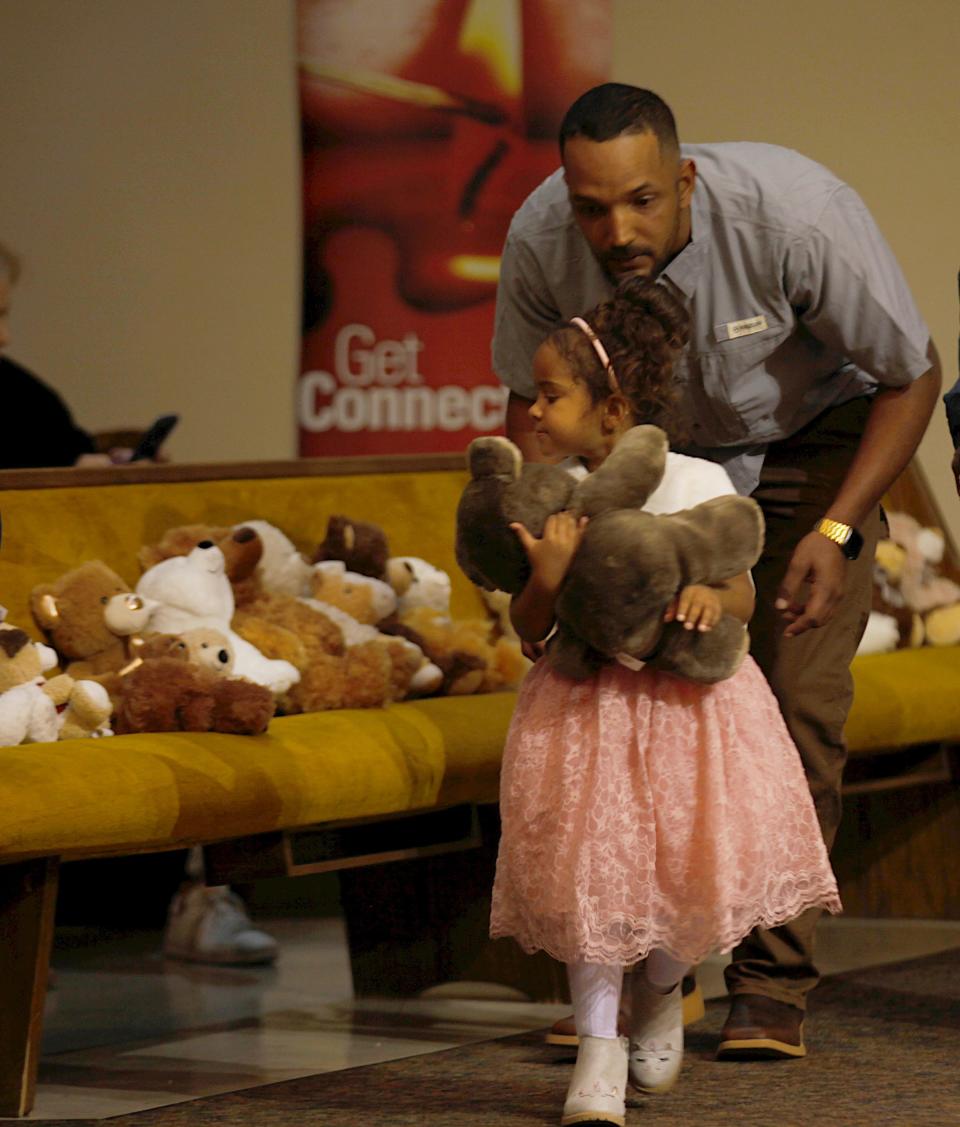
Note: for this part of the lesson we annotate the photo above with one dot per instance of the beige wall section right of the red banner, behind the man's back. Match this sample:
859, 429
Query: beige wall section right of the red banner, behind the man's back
869, 90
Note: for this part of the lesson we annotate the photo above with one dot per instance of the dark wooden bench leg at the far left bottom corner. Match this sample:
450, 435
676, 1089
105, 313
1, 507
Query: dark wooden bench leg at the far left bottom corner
28, 906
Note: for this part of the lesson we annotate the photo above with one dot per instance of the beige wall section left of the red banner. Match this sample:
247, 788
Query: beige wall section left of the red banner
150, 181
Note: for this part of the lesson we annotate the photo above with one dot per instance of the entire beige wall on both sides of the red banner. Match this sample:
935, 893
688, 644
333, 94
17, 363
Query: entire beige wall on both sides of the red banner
150, 180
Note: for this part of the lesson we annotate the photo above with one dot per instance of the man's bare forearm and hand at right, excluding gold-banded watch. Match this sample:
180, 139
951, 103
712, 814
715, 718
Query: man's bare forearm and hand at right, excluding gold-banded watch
895, 427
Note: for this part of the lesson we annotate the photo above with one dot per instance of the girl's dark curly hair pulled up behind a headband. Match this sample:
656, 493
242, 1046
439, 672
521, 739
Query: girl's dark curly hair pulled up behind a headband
643, 327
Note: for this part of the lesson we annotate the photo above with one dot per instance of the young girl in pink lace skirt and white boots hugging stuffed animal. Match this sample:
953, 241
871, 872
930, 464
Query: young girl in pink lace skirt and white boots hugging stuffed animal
646, 820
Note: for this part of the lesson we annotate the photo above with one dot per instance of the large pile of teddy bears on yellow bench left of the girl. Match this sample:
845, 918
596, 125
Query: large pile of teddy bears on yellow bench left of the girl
229, 627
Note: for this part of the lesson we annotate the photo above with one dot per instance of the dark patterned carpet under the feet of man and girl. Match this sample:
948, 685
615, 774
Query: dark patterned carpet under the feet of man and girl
885, 1049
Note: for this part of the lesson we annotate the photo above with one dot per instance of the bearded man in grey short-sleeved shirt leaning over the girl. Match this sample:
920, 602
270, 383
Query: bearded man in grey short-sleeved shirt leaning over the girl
810, 376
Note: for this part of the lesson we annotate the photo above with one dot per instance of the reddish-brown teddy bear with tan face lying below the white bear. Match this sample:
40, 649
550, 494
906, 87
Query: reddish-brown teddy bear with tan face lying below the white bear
185, 685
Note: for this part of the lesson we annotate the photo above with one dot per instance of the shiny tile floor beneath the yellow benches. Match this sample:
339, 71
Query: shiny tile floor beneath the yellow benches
127, 1031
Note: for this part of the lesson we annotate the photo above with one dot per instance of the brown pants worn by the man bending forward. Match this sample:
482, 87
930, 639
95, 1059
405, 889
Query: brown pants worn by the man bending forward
810, 675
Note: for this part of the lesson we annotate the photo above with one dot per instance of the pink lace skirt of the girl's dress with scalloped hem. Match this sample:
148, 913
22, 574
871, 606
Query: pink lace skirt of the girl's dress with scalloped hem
643, 811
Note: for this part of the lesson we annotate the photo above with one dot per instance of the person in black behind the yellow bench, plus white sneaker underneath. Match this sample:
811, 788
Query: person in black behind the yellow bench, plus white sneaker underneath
203, 925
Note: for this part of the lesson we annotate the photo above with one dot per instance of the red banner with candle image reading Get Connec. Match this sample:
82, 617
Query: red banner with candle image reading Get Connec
425, 126
